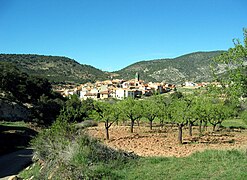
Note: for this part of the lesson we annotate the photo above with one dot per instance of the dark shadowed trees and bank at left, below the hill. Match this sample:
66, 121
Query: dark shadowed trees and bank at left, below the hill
26, 97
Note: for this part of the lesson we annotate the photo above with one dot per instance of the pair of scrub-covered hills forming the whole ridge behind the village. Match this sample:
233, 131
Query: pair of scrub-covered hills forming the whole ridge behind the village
59, 69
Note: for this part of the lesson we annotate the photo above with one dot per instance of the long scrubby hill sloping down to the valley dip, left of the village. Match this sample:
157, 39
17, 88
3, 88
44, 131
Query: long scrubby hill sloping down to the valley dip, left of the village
55, 68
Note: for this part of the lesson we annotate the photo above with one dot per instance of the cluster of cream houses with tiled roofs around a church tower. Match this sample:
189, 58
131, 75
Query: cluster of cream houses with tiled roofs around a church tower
118, 88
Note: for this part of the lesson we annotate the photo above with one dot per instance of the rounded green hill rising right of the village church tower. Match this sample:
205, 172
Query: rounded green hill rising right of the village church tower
189, 67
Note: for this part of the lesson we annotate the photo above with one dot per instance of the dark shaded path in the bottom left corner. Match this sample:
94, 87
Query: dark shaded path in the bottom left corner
13, 163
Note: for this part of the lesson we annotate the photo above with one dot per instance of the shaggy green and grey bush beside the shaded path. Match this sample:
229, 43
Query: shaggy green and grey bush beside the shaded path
69, 153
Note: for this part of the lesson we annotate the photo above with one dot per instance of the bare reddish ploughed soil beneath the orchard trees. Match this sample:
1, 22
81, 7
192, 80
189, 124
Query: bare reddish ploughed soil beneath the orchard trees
163, 141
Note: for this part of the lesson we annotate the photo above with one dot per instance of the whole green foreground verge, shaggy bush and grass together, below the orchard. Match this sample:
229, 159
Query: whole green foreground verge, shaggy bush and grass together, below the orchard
66, 152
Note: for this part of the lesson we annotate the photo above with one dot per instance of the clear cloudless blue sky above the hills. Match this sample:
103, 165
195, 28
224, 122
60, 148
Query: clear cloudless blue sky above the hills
111, 34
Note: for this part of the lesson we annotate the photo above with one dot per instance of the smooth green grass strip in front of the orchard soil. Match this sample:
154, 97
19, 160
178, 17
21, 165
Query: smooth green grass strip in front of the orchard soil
206, 165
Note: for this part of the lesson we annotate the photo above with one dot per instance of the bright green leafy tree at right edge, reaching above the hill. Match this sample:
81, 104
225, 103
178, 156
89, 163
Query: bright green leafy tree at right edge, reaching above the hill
234, 61
